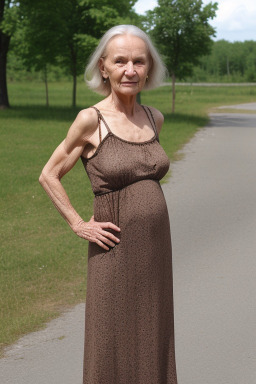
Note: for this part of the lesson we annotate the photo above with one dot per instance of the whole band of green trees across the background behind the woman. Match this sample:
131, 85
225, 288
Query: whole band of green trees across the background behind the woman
55, 38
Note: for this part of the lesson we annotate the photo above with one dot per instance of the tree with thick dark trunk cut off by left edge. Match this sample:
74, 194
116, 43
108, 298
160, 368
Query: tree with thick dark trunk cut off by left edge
8, 17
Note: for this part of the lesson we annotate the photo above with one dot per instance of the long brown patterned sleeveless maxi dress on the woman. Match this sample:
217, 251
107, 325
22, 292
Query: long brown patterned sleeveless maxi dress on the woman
129, 322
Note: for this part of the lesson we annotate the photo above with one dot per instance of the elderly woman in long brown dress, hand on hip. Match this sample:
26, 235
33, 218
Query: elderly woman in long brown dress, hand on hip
129, 327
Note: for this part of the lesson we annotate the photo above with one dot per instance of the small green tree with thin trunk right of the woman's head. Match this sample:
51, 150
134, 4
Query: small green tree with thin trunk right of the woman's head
181, 30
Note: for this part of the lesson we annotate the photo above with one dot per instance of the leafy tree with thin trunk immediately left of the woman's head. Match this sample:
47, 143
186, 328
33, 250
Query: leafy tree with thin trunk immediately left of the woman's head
85, 21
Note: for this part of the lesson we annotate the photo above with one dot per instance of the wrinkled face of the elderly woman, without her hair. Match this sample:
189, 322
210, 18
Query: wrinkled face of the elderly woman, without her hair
126, 64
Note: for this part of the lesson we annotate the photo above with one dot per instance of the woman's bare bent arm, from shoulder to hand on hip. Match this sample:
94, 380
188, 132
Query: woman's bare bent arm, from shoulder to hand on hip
62, 161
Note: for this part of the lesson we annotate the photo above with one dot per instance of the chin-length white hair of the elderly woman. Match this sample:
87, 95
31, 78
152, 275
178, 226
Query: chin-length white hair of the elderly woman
93, 76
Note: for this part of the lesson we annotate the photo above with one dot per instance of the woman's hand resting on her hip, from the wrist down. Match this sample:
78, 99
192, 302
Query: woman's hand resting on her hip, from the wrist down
95, 232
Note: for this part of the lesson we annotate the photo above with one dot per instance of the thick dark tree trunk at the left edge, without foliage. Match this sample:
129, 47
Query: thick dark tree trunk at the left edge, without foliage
4, 45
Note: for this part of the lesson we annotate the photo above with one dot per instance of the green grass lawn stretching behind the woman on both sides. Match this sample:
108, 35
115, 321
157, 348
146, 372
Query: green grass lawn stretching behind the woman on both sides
43, 264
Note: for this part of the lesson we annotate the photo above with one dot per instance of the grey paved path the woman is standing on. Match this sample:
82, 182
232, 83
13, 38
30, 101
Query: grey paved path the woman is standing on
211, 199
